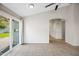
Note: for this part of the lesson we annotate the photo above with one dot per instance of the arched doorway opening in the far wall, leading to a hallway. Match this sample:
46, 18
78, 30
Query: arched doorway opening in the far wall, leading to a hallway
56, 30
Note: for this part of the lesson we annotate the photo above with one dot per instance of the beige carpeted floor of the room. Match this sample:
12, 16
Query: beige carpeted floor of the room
55, 48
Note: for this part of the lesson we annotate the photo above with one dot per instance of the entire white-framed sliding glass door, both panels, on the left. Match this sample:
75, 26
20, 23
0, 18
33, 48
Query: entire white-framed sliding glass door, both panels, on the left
9, 34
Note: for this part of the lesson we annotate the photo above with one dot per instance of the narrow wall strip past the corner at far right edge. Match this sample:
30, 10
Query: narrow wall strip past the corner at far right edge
76, 24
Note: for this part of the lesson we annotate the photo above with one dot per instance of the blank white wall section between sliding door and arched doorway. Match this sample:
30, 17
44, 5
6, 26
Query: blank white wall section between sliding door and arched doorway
36, 28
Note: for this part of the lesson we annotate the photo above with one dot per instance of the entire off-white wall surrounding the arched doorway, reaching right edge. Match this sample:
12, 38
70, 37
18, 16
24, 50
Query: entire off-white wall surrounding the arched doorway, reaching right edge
37, 26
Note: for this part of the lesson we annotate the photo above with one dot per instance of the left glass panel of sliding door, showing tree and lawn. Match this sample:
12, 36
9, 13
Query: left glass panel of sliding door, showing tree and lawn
4, 34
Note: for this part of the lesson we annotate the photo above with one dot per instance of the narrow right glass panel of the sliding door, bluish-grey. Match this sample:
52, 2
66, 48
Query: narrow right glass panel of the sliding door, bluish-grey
15, 28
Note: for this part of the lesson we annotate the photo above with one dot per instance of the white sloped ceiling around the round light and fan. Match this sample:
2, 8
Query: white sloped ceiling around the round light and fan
22, 9
